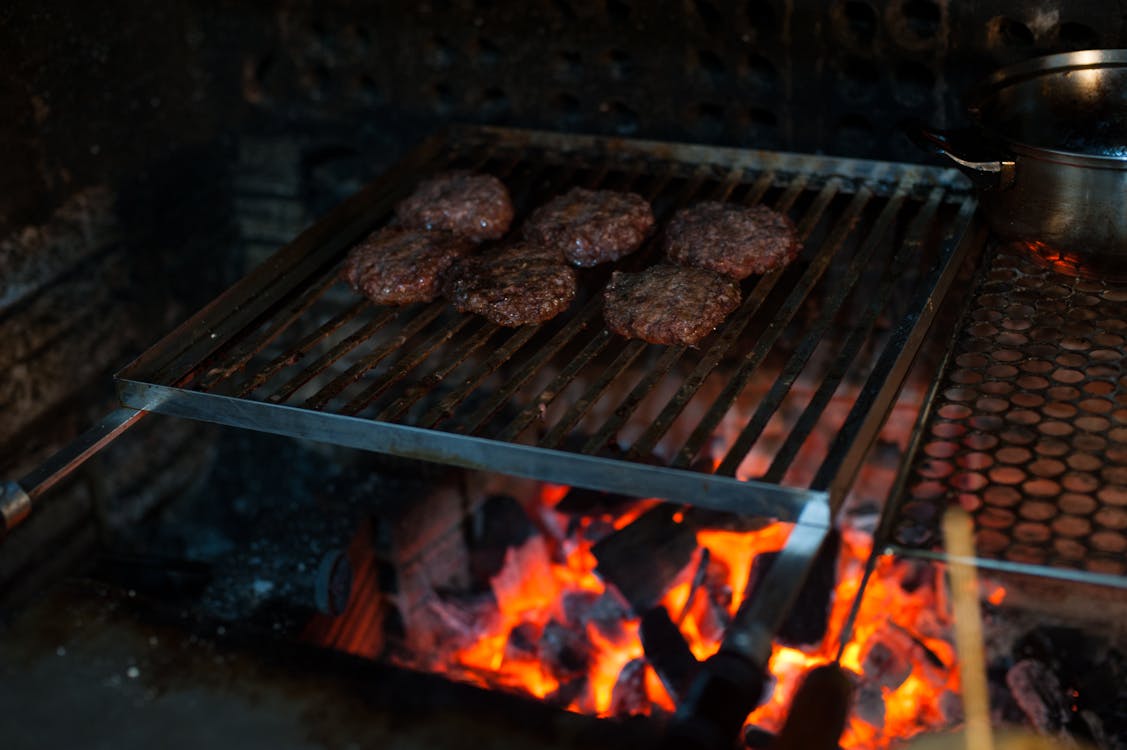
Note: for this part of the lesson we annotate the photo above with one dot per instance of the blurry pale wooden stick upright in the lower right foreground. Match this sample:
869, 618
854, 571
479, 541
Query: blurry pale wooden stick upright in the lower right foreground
959, 534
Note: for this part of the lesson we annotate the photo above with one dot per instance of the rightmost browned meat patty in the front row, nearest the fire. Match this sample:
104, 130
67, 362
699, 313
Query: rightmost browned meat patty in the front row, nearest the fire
668, 304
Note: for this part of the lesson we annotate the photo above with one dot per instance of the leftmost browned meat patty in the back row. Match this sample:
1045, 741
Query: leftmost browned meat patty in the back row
476, 207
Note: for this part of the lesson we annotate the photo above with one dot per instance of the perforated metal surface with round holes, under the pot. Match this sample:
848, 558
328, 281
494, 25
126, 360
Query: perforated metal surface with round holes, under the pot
1030, 427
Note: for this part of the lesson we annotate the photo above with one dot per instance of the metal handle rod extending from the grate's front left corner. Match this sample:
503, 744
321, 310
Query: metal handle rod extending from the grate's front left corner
16, 498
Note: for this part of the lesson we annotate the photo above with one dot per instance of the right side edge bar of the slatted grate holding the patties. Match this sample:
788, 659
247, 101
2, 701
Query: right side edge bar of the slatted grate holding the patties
860, 430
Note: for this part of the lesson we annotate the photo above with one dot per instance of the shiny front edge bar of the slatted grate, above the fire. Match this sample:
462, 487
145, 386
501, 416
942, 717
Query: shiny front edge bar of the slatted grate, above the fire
594, 473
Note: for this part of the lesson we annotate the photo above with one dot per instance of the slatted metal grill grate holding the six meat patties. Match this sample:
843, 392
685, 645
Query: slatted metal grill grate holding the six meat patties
815, 350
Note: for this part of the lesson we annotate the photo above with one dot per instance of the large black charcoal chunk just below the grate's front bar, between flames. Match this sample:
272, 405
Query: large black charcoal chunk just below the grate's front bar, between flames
643, 560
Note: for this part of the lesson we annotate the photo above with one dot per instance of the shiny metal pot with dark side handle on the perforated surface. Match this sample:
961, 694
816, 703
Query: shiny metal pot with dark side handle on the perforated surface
1050, 153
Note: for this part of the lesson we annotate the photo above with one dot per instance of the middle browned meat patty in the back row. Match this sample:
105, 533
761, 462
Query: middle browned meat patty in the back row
592, 227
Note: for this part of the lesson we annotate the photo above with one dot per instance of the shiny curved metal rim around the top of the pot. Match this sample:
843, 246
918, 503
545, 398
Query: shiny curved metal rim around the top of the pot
1035, 68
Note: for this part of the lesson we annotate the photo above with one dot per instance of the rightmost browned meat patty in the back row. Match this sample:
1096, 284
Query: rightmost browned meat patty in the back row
732, 240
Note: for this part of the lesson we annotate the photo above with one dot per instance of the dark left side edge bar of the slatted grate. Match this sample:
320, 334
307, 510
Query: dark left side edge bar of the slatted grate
217, 324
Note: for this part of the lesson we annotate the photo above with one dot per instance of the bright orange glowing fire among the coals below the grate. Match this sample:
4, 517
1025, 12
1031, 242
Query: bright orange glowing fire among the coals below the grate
543, 576
